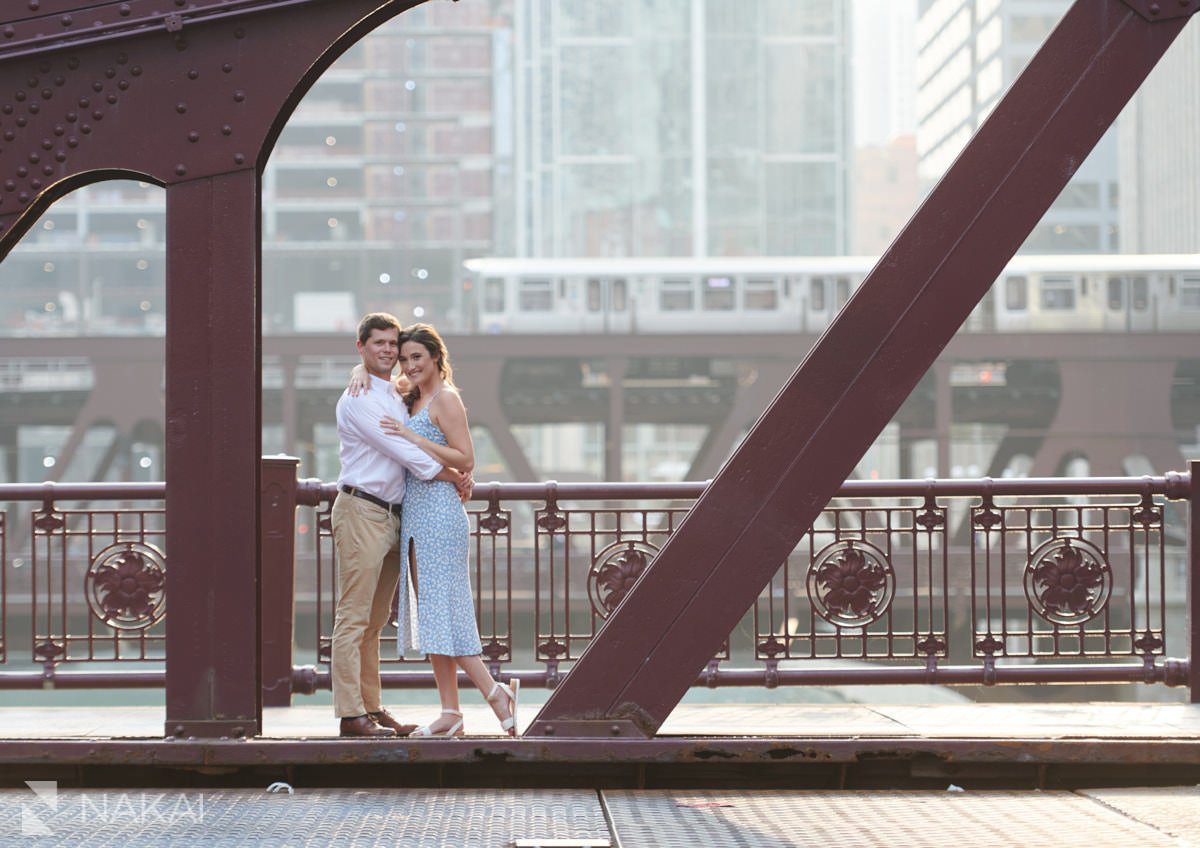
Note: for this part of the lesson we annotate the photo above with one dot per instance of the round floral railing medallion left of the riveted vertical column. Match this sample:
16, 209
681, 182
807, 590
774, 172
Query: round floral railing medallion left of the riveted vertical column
125, 586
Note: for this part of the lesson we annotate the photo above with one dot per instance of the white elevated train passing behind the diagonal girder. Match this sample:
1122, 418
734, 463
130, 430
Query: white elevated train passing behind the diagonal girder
802, 294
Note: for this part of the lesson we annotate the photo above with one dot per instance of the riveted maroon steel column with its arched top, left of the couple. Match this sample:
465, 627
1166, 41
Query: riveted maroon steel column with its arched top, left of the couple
190, 98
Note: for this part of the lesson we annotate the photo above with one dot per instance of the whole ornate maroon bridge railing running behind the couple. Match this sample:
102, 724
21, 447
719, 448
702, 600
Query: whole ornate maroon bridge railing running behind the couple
923, 581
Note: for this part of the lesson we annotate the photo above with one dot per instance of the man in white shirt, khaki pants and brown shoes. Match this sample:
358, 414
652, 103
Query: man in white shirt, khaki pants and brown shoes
367, 531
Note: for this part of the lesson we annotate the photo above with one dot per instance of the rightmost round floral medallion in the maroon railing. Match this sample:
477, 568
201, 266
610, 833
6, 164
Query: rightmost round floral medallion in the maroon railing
1069, 581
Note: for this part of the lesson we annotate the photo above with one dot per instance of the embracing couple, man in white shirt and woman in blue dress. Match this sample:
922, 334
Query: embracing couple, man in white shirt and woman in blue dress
399, 520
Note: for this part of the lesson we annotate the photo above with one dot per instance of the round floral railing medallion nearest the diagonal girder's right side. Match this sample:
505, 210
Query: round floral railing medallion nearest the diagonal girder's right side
851, 584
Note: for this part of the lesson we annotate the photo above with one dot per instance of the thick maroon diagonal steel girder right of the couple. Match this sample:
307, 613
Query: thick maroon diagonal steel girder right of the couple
856, 378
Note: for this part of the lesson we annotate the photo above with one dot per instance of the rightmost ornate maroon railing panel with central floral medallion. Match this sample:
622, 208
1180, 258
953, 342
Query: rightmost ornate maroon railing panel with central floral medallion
1069, 581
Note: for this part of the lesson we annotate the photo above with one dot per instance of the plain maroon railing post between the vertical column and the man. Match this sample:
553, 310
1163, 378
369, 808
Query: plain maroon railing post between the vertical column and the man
279, 510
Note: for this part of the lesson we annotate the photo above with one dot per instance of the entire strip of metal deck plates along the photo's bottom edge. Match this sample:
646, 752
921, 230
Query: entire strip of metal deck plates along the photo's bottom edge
499, 819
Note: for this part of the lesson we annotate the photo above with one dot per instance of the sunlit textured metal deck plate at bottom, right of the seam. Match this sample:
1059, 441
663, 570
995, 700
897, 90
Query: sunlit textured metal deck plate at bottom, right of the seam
868, 820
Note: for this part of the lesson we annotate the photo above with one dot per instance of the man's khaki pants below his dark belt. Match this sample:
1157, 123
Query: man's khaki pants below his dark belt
368, 542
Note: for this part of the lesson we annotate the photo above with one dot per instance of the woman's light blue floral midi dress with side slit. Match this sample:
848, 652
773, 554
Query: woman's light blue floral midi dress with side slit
436, 616
